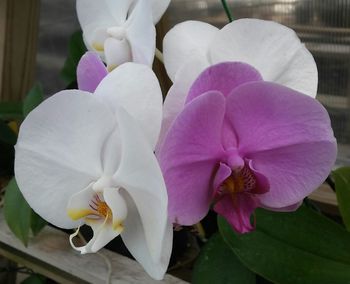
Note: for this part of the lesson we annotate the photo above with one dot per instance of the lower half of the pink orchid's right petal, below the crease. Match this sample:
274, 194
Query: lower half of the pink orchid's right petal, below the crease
294, 171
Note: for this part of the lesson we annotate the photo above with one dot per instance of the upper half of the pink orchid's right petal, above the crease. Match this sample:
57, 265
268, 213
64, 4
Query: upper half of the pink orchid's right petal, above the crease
266, 116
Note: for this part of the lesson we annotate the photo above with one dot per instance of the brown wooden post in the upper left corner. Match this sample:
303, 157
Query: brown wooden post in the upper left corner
19, 23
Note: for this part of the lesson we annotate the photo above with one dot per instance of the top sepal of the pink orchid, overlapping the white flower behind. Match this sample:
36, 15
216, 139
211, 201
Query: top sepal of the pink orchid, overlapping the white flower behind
223, 77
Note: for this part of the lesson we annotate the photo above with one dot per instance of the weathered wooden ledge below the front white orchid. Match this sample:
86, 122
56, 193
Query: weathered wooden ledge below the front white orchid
50, 254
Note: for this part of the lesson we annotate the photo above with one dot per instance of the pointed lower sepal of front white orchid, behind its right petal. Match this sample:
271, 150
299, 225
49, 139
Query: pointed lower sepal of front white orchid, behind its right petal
135, 240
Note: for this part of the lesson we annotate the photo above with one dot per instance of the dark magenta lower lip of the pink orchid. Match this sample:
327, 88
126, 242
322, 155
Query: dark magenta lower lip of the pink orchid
237, 211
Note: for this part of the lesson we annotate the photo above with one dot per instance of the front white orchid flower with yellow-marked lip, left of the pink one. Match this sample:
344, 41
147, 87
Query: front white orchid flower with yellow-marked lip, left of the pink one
84, 158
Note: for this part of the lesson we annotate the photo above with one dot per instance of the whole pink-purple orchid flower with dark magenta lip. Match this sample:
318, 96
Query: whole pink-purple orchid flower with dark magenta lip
241, 143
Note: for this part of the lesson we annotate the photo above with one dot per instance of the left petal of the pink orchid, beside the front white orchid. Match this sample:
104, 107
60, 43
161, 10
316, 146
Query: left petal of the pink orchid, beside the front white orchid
189, 155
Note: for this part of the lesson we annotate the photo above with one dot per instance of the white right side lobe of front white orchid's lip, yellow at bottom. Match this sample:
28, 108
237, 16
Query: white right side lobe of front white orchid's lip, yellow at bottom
117, 205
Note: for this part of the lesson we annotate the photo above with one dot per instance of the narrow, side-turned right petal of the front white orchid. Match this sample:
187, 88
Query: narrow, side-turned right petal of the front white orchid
139, 174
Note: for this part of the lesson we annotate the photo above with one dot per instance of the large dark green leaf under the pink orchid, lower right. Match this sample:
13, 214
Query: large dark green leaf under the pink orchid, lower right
301, 247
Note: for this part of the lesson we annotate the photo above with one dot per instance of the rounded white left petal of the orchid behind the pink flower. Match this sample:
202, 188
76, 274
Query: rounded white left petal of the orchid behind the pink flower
184, 42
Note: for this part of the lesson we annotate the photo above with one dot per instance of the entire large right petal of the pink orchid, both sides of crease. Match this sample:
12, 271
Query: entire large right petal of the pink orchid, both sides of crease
288, 137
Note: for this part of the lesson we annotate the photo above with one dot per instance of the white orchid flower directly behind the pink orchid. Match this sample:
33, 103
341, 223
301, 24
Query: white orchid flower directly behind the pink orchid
273, 49
